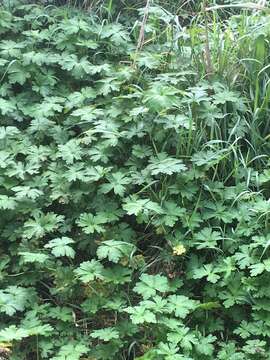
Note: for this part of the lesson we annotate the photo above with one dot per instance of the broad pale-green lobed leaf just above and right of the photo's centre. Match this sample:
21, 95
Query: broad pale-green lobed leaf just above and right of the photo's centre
164, 164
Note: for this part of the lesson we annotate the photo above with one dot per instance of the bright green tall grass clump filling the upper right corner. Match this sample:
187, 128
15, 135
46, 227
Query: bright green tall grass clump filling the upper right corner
238, 50
